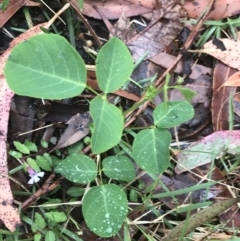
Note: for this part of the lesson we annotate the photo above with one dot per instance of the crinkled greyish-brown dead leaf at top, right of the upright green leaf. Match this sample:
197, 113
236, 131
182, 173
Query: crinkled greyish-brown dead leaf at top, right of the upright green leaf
161, 34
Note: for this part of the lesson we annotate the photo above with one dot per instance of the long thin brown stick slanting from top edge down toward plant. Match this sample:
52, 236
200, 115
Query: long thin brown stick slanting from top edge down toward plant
159, 82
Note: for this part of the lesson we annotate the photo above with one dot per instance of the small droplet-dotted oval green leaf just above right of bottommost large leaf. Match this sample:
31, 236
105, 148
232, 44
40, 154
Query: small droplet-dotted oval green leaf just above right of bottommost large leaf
119, 167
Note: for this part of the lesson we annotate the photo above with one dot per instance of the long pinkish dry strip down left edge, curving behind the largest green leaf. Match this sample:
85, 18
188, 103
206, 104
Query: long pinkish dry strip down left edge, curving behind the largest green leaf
8, 214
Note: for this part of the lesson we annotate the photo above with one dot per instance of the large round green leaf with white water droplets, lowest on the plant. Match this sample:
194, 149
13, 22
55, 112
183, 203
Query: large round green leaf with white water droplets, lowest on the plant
104, 209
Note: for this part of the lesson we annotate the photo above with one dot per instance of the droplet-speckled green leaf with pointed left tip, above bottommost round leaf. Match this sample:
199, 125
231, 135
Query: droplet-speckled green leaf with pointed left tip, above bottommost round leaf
78, 168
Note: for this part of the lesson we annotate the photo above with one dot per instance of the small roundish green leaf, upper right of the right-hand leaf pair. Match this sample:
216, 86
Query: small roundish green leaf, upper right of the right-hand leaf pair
171, 114
